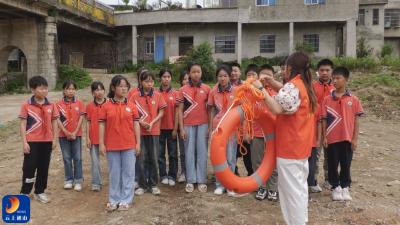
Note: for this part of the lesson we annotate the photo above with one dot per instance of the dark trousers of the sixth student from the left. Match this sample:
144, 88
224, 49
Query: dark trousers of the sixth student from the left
166, 138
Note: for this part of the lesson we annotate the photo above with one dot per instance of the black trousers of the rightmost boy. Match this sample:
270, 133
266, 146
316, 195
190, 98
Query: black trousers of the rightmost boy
339, 153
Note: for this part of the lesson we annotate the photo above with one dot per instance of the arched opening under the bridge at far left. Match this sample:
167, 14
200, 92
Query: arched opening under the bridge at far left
13, 70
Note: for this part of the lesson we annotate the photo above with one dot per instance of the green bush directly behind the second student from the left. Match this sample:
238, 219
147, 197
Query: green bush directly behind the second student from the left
71, 72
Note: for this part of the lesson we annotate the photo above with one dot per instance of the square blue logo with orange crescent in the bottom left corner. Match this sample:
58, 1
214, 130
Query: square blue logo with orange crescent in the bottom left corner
16, 209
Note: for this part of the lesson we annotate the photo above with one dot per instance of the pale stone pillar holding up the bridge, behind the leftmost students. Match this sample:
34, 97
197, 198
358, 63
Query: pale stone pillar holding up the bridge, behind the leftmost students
47, 50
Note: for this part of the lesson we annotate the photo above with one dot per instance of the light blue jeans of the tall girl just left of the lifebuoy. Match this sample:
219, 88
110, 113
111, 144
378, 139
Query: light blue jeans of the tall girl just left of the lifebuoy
196, 145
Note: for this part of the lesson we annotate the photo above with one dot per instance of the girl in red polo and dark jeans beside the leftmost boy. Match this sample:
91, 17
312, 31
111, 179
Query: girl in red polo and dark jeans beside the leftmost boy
72, 113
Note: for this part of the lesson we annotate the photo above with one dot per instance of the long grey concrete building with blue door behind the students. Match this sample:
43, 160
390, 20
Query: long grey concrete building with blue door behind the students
240, 29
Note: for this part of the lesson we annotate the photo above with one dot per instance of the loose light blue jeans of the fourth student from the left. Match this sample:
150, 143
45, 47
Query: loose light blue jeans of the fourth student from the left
121, 169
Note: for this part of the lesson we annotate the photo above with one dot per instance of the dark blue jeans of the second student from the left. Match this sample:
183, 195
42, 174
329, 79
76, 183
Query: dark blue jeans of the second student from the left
72, 157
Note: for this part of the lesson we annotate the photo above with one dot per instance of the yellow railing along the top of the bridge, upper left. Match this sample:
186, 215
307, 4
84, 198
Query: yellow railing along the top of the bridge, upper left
92, 8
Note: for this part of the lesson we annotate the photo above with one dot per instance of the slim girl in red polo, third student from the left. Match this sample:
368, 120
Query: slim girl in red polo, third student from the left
92, 131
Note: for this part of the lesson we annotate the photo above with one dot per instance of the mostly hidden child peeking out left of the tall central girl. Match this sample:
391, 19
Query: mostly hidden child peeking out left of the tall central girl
183, 80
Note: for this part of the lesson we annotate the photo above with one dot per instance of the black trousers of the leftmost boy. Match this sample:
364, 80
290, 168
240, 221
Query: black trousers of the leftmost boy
37, 161
